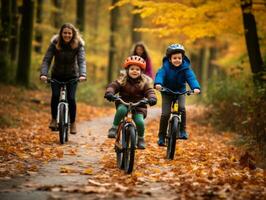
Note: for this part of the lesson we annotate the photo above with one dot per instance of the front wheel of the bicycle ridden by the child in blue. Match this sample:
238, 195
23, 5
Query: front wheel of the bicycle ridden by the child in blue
171, 143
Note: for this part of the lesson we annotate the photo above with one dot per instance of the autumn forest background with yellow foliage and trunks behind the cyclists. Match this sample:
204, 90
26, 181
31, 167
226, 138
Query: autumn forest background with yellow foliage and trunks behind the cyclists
225, 41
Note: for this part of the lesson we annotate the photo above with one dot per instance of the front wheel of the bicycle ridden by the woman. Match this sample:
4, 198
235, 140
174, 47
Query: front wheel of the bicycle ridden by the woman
62, 126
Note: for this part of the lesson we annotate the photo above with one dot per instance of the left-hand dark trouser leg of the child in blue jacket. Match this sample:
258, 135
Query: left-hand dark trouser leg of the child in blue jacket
166, 111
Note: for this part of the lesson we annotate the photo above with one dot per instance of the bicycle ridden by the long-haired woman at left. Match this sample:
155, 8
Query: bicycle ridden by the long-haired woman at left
62, 119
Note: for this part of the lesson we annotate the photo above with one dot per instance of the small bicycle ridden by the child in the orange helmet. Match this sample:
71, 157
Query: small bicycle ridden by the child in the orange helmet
126, 137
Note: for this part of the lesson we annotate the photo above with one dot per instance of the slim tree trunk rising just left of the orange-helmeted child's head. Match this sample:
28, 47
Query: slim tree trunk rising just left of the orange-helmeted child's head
112, 45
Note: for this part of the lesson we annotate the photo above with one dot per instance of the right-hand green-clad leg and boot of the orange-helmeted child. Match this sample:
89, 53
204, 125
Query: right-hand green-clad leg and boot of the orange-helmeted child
139, 121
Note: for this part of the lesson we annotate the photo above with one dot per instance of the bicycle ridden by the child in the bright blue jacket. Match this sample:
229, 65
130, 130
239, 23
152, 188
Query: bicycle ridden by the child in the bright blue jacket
173, 130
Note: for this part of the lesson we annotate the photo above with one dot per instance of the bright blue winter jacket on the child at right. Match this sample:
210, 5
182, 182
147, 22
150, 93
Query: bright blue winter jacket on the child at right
175, 78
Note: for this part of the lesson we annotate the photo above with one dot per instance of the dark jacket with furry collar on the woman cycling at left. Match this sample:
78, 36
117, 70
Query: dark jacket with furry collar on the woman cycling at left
68, 63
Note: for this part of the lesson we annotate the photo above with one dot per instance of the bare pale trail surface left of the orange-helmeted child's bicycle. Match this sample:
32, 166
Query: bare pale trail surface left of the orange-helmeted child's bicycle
68, 177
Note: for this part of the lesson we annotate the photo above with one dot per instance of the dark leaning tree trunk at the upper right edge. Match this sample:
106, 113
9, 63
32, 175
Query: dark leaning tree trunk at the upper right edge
251, 36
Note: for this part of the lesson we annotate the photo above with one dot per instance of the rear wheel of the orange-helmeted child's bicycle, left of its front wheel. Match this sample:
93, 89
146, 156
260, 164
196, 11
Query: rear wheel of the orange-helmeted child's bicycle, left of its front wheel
119, 148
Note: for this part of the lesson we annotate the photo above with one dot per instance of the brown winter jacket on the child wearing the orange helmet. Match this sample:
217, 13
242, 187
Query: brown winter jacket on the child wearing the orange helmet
134, 90
